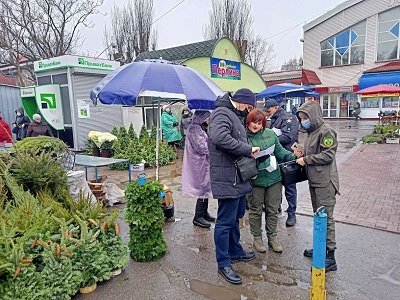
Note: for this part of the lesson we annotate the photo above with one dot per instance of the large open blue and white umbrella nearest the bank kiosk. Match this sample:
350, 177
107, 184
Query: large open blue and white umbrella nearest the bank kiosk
156, 78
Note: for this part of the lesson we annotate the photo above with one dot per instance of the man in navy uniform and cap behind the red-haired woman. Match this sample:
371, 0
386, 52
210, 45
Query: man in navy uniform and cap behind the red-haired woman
286, 127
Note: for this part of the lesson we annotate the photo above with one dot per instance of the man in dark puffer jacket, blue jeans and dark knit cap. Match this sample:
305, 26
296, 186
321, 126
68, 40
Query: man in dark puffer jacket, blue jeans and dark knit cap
228, 142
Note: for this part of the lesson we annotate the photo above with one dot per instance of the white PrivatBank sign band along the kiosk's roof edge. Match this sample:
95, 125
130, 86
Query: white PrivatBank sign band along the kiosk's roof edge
68, 61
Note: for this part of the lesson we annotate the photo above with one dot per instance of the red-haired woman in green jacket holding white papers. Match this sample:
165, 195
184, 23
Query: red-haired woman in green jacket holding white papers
267, 186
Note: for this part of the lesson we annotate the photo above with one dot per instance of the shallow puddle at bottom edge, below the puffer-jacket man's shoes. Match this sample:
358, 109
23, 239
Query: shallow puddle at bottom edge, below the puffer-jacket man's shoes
215, 292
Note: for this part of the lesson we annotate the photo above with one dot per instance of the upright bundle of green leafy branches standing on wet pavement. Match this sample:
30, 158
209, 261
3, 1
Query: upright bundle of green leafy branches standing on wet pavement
146, 219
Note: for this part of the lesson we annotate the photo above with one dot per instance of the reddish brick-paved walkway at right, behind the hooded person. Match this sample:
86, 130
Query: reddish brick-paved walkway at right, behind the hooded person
369, 189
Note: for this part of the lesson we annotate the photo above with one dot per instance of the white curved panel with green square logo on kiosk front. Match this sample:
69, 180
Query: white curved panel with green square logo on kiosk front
48, 100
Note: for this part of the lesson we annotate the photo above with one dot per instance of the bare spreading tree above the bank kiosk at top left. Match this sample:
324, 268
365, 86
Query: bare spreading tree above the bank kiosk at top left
42, 28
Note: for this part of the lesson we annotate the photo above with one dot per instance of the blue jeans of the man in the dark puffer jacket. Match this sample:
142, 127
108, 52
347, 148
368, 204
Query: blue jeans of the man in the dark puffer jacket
227, 232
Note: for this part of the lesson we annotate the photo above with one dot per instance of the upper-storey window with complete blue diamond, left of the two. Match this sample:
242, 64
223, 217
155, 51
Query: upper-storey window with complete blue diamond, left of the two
347, 47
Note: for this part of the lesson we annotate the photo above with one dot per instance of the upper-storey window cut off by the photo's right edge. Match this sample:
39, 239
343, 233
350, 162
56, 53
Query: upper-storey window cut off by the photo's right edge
388, 34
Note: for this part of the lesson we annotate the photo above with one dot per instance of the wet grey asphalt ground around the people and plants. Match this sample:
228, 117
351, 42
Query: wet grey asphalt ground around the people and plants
368, 259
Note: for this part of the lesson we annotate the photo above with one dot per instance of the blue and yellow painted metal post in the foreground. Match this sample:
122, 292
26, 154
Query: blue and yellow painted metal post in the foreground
318, 291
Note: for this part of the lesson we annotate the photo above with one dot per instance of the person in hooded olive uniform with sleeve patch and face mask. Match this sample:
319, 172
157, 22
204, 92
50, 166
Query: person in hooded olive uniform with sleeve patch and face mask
320, 161
